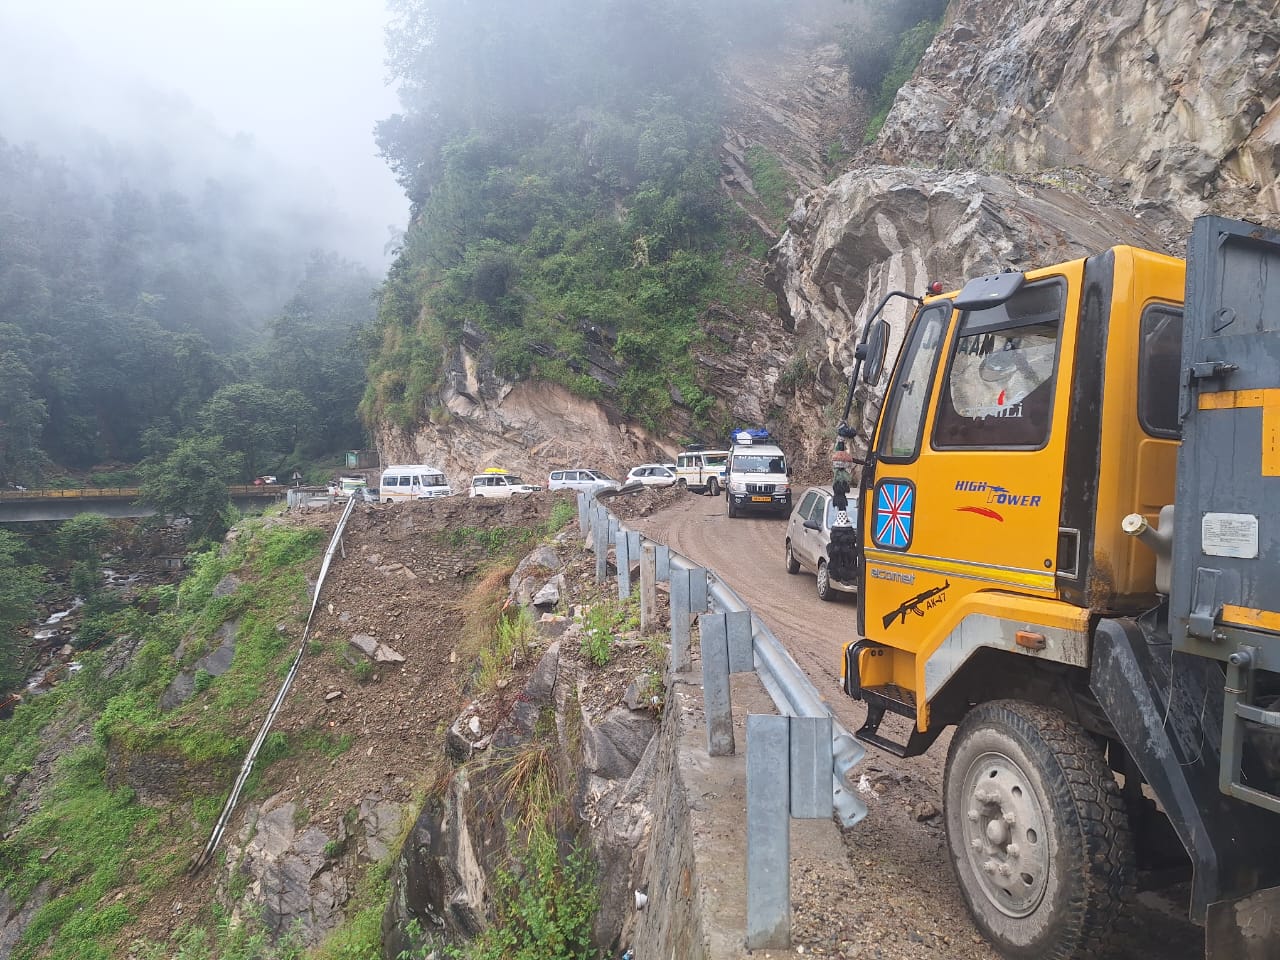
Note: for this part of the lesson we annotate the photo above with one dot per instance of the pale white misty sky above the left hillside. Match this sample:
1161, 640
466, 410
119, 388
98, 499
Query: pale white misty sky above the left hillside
303, 79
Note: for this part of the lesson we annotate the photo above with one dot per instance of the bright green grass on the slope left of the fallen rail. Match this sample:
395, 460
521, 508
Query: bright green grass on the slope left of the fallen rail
88, 838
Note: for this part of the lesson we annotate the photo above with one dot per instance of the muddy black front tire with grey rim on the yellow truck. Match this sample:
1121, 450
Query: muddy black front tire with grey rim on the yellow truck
1037, 833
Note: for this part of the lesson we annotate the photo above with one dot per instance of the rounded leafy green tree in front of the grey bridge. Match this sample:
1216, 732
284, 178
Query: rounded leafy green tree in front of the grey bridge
191, 482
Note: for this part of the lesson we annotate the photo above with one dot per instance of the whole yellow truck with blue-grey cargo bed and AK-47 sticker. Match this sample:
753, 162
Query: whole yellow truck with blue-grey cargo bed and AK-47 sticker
1067, 548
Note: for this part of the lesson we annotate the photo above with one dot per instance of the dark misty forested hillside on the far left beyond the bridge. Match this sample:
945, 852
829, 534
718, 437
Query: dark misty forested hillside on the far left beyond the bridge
127, 305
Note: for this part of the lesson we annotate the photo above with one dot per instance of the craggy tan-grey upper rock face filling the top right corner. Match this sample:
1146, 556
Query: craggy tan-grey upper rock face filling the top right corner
1171, 100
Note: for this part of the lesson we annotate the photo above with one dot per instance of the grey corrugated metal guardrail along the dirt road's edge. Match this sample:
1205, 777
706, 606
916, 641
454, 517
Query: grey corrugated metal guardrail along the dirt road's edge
793, 693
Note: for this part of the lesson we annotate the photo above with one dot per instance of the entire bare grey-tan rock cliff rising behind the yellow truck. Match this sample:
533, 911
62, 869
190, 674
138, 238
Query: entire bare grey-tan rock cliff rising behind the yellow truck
1034, 134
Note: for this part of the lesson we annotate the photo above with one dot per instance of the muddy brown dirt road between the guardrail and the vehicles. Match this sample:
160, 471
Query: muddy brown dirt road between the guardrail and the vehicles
907, 903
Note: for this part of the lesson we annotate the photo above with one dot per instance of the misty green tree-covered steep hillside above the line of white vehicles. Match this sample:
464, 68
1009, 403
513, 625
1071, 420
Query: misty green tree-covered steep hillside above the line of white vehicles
570, 226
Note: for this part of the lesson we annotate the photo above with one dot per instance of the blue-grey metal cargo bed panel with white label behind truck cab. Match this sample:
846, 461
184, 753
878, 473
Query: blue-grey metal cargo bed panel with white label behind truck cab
1227, 547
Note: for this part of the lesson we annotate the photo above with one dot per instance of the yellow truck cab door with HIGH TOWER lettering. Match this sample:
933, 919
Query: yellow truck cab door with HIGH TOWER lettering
970, 461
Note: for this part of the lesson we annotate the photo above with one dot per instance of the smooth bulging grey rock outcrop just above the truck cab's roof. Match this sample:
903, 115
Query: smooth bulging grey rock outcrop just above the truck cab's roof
892, 228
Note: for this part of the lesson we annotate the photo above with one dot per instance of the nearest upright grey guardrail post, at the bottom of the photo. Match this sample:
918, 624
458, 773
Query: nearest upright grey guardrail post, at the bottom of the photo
769, 834
